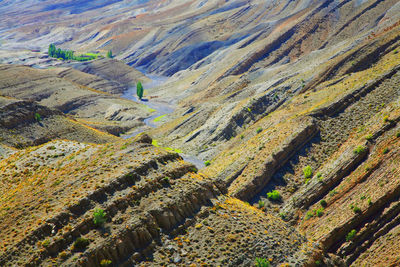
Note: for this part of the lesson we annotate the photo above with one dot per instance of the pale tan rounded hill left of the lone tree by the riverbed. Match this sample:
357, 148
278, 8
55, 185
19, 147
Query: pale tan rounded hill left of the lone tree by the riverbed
88, 98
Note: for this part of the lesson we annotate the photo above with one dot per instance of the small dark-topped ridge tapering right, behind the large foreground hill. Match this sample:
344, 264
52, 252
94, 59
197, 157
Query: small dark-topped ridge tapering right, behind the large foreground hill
25, 123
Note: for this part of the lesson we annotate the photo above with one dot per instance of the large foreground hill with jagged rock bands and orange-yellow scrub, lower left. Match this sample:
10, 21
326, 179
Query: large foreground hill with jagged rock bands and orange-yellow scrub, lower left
151, 198
